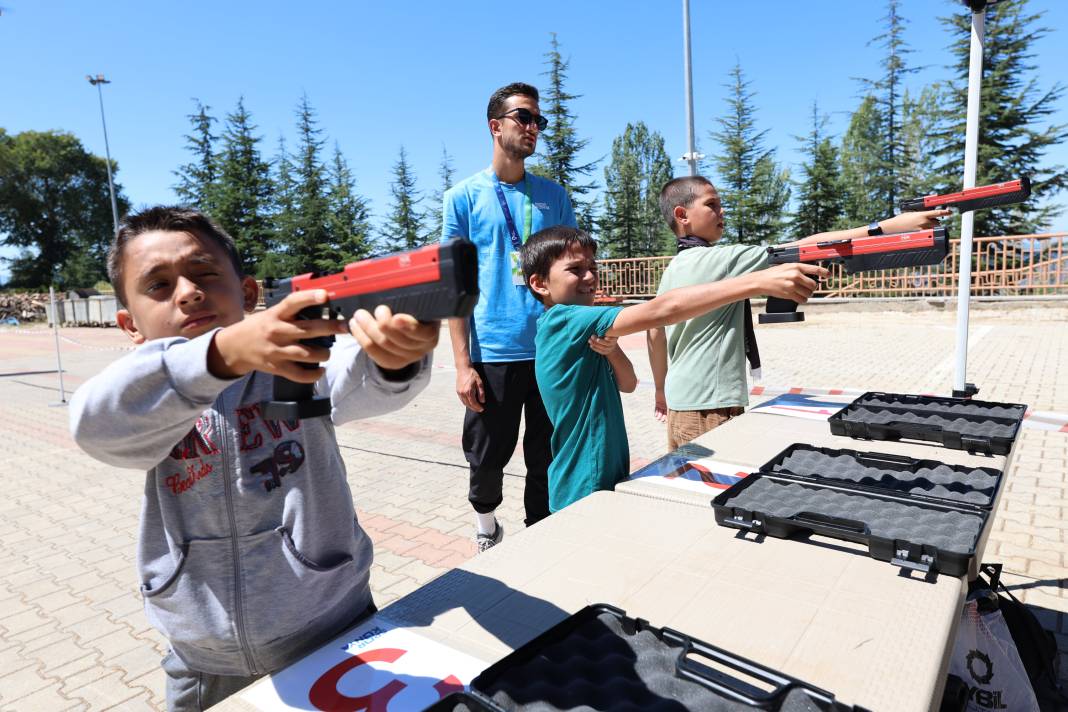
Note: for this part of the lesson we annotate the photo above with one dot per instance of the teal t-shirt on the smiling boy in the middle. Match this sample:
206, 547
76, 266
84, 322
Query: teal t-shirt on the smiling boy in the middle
590, 448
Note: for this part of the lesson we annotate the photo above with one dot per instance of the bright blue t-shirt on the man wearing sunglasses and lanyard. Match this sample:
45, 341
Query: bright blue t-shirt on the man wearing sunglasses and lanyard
504, 324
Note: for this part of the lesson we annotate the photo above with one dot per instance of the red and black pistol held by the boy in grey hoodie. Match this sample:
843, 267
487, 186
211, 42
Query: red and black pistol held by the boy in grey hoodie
436, 282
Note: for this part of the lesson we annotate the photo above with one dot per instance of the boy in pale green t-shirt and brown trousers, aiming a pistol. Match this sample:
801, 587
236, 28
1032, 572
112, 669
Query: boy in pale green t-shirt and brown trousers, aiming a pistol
706, 384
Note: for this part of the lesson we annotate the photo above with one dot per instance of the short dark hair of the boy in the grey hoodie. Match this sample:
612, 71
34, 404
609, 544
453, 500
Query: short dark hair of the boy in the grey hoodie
166, 218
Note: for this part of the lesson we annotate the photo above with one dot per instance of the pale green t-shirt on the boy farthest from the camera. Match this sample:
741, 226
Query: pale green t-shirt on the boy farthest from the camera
706, 355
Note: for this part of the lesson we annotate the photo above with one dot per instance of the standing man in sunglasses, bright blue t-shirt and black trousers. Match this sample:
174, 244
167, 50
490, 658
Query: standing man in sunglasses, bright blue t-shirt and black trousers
498, 210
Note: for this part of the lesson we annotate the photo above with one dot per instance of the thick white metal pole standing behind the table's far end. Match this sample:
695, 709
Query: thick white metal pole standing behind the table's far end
961, 388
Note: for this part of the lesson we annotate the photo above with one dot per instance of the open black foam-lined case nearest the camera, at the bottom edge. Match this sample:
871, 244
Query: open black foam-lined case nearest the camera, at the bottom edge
600, 659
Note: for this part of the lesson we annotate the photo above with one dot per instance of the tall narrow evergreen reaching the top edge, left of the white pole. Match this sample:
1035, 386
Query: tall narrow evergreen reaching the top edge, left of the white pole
888, 92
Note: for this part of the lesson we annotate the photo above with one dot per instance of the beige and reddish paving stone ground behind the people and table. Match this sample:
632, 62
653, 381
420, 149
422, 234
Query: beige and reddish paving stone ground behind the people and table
73, 634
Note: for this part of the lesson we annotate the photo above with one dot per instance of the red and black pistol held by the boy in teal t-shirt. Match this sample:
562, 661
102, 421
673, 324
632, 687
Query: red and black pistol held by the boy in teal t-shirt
861, 255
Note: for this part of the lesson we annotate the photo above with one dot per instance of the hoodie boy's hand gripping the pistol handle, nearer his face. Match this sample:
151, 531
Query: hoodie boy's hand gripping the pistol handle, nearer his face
271, 341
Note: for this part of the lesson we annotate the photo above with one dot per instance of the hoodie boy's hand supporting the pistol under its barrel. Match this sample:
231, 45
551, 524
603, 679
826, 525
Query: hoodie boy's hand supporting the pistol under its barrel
394, 341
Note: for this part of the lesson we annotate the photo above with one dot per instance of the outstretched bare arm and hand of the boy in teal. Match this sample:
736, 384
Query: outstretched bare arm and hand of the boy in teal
794, 282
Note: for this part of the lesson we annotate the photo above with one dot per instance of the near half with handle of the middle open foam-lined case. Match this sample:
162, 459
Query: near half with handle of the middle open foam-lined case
924, 535
